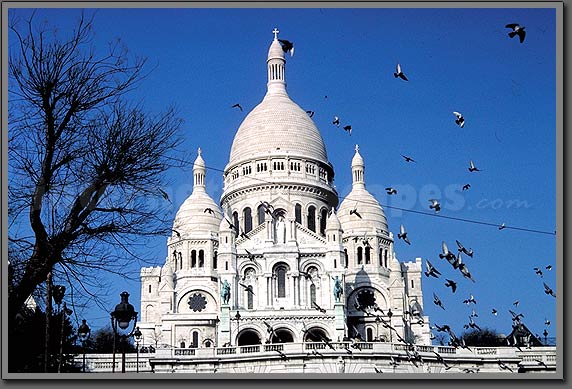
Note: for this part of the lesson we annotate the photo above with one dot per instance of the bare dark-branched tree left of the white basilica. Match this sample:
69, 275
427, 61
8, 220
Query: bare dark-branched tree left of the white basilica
85, 165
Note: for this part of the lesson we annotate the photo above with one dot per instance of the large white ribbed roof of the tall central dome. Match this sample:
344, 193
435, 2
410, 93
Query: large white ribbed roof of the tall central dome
277, 123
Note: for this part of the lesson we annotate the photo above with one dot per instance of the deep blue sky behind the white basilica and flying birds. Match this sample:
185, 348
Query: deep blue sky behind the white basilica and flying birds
205, 60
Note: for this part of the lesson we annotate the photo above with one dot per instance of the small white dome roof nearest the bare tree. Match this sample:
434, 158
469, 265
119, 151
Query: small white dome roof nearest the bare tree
194, 216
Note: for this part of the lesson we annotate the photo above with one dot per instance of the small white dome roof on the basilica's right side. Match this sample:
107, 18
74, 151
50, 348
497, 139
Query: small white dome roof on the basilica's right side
372, 214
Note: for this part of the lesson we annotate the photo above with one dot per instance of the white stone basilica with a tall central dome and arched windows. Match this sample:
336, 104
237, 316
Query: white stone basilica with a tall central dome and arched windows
278, 259
